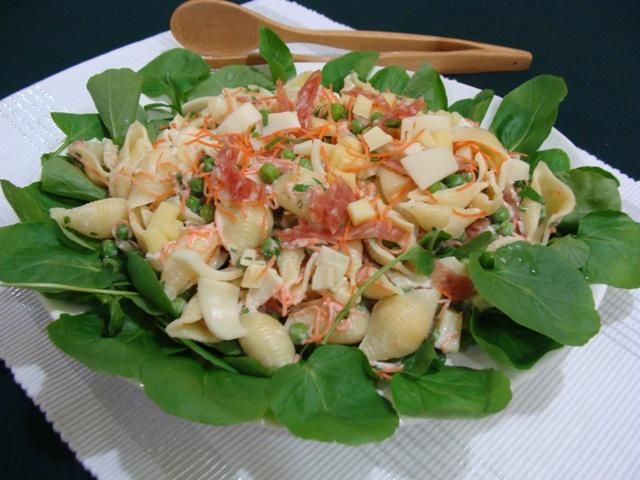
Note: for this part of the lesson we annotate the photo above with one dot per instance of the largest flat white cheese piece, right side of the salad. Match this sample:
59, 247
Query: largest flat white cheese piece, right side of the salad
430, 166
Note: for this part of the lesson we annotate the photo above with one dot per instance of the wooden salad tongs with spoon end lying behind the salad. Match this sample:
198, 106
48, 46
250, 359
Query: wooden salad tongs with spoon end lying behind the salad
225, 33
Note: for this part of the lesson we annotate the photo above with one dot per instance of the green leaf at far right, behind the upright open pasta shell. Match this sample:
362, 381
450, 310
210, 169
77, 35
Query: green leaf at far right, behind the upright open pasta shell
595, 190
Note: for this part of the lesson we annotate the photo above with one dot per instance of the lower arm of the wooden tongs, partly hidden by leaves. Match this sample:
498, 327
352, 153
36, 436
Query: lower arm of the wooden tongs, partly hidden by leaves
462, 61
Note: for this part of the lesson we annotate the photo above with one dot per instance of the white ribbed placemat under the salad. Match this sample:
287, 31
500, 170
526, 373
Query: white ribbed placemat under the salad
576, 415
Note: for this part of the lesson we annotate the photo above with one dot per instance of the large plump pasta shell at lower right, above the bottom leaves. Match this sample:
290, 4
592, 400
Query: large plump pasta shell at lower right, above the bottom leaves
400, 324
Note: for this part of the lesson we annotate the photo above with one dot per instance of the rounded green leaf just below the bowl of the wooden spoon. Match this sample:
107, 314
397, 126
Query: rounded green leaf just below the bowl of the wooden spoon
173, 73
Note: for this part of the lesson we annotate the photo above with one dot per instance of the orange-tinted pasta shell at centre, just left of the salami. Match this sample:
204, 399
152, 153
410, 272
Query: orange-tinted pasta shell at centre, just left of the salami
242, 228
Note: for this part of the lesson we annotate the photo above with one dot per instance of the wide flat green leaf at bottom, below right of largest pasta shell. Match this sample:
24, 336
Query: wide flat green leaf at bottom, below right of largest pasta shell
451, 391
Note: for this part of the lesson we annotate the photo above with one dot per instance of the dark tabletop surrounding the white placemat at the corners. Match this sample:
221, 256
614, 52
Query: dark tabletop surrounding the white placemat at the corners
593, 45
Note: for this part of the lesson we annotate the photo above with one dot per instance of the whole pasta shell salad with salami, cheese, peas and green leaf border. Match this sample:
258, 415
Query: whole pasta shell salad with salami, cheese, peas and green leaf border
309, 247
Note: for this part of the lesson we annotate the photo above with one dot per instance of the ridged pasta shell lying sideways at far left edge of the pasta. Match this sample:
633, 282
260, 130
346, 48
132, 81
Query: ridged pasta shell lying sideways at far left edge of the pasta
95, 219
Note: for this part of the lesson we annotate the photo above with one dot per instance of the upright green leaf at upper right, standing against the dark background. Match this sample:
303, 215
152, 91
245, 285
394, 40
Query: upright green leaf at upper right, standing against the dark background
527, 113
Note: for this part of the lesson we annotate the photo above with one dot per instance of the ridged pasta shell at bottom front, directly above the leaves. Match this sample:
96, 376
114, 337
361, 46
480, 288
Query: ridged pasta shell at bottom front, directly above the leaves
266, 340
